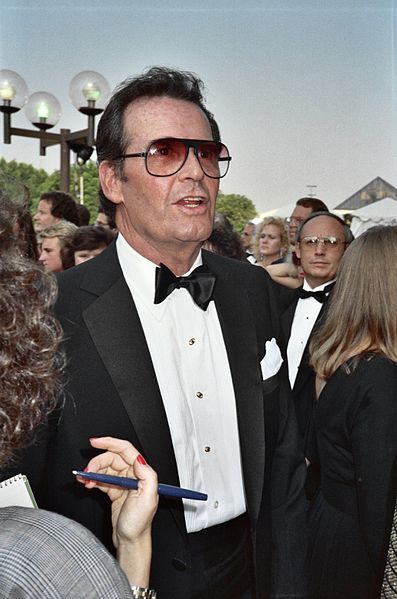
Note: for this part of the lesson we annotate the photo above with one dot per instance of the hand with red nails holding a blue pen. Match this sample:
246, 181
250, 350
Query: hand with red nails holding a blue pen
132, 511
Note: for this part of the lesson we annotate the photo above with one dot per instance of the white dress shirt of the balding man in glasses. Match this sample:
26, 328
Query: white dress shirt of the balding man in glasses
306, 314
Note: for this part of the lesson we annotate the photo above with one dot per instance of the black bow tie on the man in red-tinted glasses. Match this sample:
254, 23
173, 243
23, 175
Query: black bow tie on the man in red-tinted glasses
200, 285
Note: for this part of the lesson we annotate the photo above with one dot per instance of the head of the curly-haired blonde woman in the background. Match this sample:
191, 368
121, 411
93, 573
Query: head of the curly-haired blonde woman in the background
271, 242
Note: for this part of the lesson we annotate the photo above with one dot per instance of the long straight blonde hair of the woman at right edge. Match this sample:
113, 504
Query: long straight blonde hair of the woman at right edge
362, 312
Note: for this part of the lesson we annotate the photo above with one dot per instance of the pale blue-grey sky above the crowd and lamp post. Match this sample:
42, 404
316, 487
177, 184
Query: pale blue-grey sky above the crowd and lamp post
304, 91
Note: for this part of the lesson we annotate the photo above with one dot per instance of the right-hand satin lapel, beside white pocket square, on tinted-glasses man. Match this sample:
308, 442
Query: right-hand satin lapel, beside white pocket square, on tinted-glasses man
242, 349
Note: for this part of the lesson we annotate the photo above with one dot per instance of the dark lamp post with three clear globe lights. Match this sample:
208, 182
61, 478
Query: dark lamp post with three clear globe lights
89, 92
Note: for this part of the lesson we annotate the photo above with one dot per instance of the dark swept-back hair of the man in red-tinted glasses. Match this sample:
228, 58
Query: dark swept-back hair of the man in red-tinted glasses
111, 141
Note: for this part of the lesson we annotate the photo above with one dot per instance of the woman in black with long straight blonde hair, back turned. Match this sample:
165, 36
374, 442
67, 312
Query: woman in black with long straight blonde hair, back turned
354, 355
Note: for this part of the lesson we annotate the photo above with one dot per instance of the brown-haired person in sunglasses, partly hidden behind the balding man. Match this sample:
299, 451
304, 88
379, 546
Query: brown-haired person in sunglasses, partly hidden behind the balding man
290, 273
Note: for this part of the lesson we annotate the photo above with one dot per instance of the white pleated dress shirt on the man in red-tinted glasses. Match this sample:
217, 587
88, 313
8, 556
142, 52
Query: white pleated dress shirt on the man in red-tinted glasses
192, 369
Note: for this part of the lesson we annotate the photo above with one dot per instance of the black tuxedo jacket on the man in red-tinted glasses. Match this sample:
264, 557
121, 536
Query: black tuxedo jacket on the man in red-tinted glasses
111, 389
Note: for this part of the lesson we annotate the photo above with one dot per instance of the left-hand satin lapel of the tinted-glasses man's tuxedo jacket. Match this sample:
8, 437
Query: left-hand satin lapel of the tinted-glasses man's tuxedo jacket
115, 328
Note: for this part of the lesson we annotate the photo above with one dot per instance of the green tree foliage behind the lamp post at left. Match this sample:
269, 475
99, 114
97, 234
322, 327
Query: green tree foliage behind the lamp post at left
39, 181
